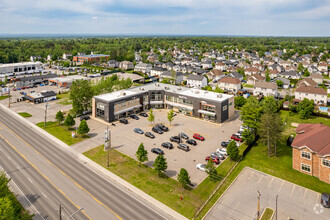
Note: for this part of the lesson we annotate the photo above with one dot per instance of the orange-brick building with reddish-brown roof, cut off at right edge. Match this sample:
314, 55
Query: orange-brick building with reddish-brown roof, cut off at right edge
311, 151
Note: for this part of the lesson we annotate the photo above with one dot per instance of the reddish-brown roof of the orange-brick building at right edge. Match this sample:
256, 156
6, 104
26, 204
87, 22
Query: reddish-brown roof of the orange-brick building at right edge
313, 136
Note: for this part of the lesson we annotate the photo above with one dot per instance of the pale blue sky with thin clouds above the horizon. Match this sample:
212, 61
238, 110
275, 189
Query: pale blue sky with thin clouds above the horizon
166, 17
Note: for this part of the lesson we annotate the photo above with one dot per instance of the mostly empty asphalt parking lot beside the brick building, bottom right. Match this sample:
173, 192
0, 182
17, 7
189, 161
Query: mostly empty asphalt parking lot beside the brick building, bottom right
240, 199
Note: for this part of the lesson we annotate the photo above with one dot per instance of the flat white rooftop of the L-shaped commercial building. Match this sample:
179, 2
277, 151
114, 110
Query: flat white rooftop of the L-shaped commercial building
197, 93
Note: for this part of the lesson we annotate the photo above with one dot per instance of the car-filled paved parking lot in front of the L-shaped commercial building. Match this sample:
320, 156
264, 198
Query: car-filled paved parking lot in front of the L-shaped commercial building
127, 141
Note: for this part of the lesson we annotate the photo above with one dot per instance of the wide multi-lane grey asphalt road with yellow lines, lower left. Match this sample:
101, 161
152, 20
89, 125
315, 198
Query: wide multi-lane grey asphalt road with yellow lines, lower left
48, 175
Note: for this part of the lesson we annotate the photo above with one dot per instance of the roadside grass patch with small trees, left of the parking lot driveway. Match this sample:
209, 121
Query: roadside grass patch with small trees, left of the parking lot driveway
61, 132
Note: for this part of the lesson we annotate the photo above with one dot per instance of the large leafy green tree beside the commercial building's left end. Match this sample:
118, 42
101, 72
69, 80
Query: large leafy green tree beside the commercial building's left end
81, 94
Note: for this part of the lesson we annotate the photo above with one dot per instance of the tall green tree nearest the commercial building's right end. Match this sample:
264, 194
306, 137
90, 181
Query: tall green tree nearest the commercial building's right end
251, 113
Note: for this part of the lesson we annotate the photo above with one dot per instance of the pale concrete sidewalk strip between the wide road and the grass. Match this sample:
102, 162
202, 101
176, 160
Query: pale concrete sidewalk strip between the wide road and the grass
98, 169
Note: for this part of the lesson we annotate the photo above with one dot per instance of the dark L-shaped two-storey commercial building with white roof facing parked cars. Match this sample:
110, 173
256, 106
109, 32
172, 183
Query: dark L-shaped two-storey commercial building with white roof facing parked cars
216, 107
